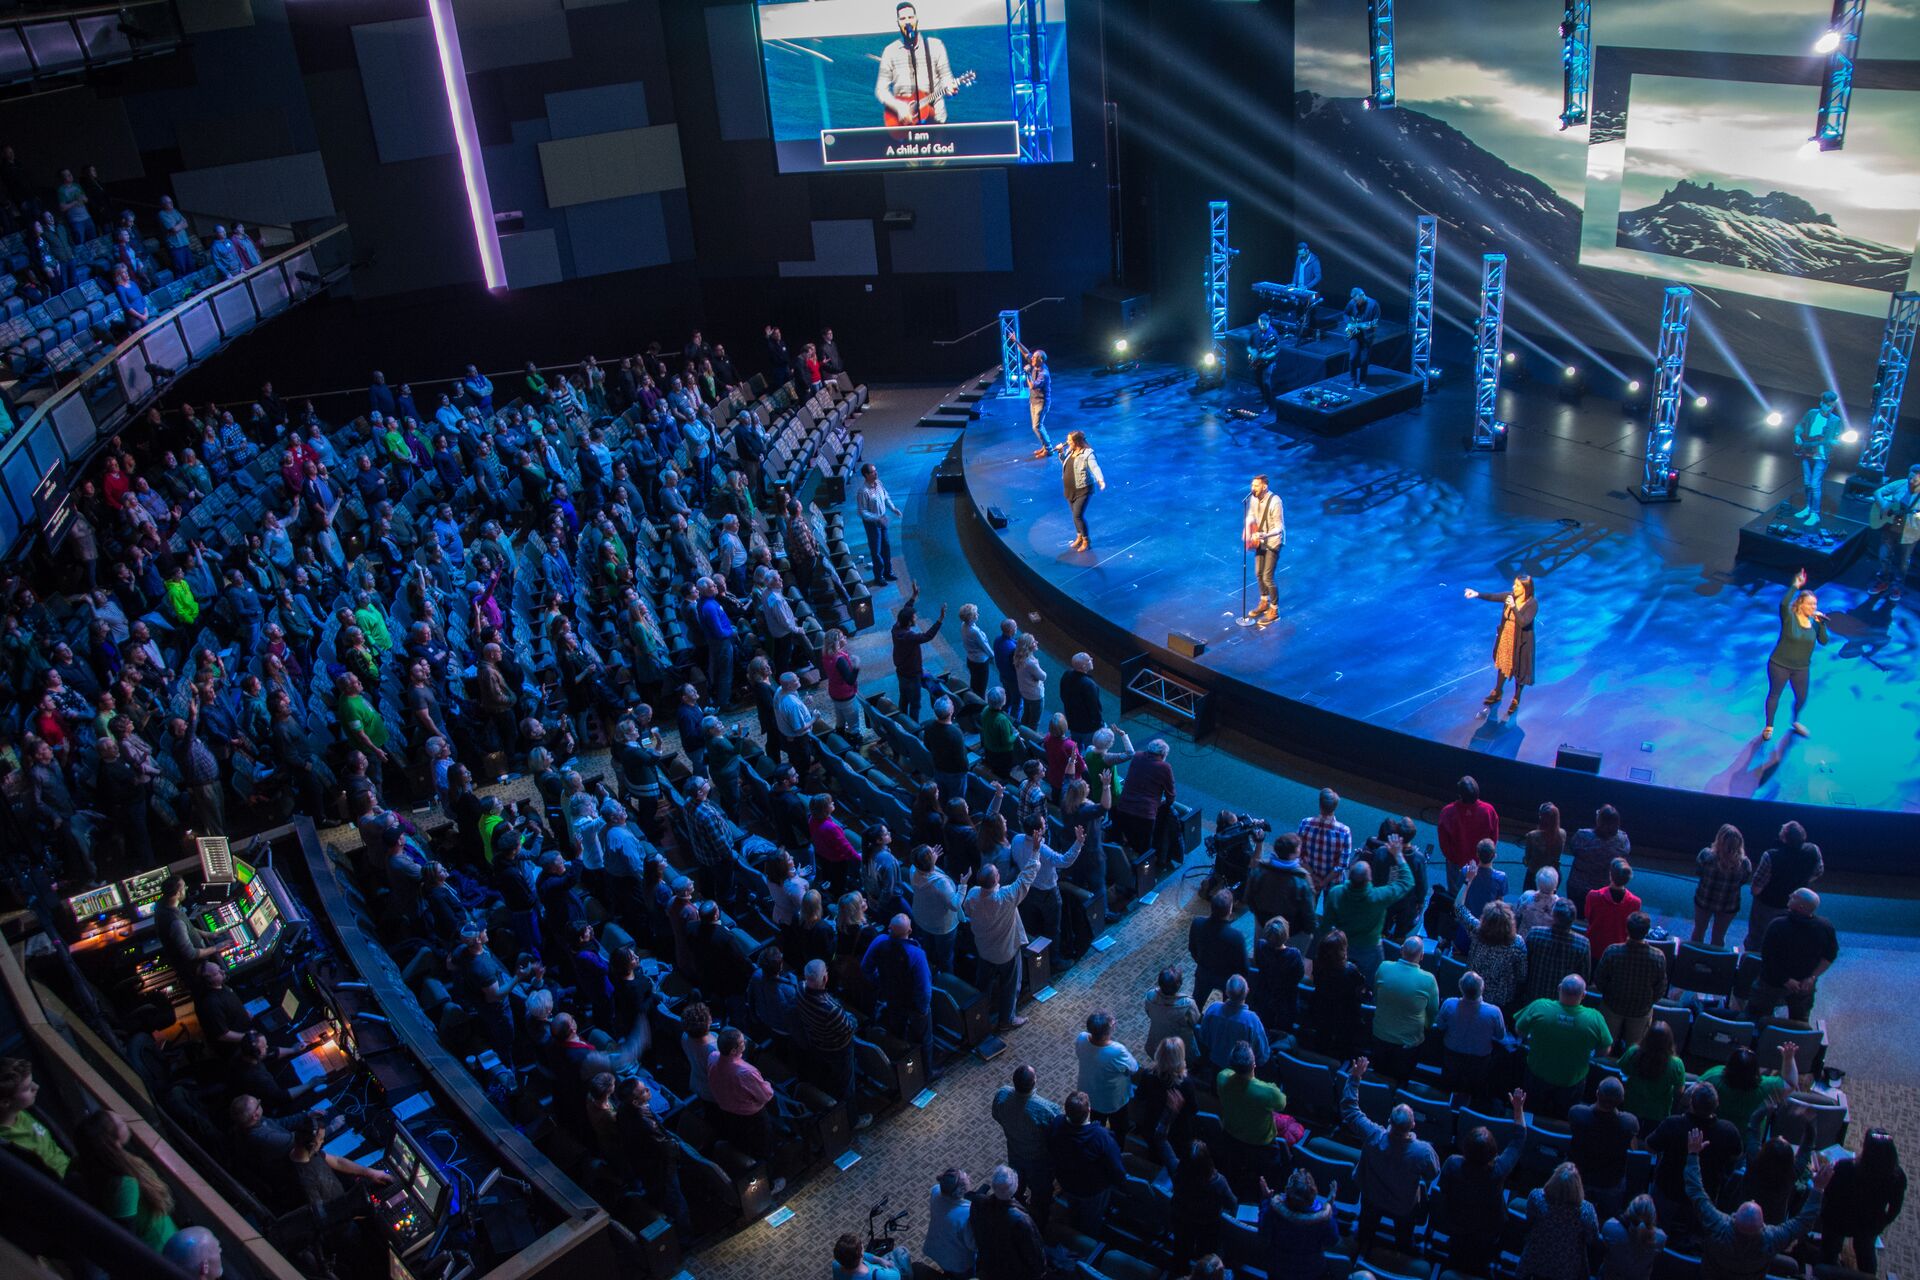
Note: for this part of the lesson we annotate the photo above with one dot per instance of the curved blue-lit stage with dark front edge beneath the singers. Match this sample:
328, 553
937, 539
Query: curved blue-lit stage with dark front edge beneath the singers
1652, 642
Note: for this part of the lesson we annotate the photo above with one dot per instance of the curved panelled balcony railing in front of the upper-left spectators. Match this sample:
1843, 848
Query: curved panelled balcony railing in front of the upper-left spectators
43, 458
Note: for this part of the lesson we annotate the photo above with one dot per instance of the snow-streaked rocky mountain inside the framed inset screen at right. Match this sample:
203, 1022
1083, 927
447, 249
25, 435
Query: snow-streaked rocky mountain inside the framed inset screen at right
1777, 233
